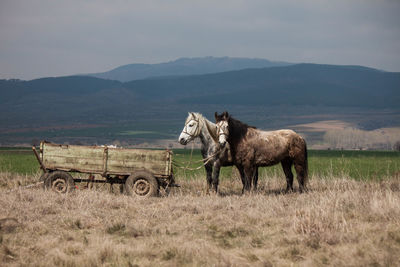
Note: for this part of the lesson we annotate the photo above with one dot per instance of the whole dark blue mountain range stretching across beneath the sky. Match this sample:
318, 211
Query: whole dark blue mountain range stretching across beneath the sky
282, 89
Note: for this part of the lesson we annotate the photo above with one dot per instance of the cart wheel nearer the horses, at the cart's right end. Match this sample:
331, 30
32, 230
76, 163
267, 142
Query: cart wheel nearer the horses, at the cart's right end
141, 184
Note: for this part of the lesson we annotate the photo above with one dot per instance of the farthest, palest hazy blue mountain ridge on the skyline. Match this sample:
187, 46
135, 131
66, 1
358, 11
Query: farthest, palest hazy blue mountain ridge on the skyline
184, 66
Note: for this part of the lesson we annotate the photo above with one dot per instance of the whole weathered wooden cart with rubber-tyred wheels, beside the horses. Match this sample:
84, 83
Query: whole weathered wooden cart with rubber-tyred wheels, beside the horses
140, 172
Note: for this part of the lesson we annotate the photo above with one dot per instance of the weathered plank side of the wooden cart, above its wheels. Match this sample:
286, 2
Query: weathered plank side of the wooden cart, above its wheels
105, 160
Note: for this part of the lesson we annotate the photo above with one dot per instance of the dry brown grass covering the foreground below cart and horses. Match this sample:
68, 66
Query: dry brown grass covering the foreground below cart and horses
340, 222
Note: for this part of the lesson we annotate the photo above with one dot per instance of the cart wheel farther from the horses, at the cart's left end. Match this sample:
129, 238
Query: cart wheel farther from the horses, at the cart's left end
60, 182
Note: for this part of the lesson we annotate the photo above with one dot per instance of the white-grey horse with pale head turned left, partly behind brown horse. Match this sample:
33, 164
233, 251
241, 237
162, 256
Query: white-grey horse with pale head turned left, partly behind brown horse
198, 126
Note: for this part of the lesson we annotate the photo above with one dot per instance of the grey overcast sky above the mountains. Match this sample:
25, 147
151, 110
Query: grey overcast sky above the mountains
44, 38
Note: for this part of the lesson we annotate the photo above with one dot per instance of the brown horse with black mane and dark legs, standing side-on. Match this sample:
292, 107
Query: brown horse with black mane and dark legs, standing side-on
252, 148
